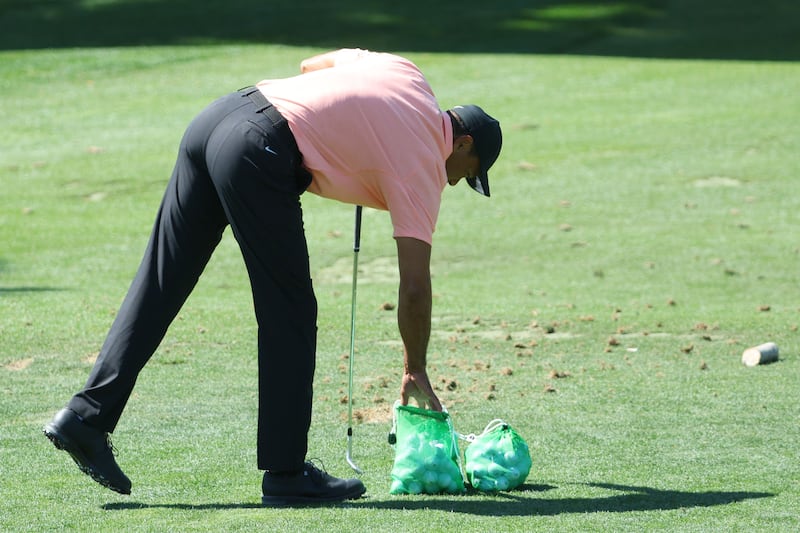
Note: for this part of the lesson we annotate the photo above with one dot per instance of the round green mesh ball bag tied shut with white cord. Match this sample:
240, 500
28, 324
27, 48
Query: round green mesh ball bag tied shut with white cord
497, 459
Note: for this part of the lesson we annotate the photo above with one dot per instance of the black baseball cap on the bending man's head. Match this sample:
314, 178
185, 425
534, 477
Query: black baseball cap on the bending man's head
488, 139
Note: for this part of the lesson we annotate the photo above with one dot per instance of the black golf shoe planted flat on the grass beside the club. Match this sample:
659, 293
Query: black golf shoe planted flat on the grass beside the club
310, 486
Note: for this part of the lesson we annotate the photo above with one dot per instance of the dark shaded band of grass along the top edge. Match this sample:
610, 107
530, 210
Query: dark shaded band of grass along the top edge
720, 29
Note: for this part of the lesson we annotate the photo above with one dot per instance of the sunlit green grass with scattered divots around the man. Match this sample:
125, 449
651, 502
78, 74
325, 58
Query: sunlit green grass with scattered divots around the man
641, 234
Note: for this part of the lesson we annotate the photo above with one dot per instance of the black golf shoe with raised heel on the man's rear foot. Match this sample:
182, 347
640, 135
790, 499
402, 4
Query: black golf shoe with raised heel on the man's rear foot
90, 448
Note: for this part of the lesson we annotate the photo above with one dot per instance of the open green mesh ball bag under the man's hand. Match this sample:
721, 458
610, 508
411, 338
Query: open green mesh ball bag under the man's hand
427, 460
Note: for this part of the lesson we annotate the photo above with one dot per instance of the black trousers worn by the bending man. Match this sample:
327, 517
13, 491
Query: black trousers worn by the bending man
238, 165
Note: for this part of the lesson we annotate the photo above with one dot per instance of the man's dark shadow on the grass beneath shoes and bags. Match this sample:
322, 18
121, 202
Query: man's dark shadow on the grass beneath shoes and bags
520, 502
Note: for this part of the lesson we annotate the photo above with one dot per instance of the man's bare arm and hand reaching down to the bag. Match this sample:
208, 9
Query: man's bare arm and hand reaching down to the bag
414, 320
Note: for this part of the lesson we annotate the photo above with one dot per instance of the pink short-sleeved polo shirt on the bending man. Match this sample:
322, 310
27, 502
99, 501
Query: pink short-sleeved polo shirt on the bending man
371, 133
